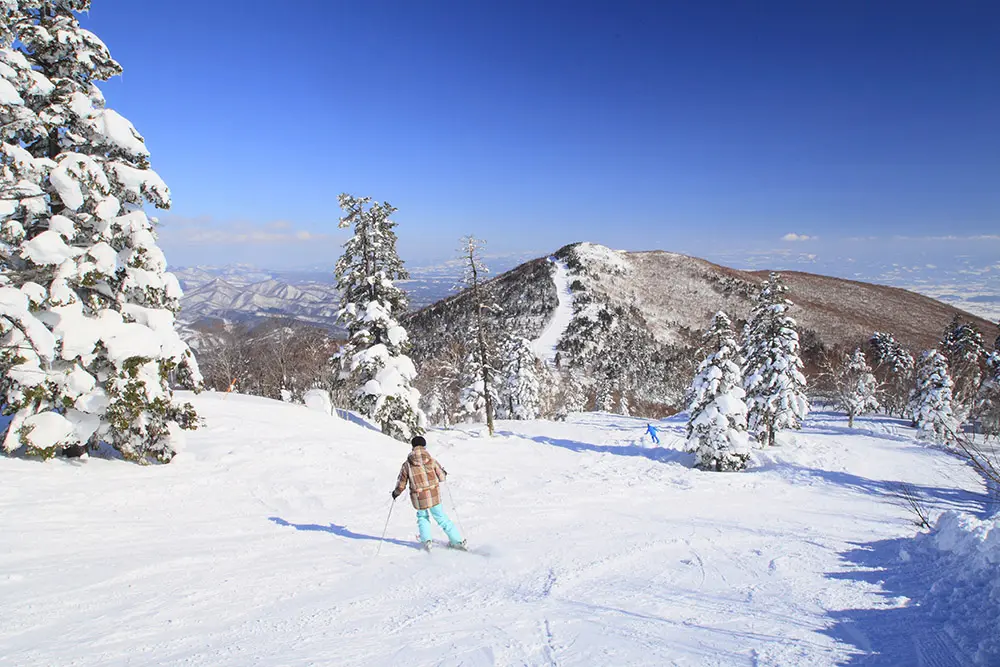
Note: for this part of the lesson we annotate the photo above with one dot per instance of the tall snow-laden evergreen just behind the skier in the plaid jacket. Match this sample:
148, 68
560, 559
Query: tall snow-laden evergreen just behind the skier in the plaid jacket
375, 360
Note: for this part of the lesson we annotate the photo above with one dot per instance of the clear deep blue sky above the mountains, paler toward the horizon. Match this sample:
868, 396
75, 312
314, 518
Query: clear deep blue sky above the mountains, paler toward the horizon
709, 128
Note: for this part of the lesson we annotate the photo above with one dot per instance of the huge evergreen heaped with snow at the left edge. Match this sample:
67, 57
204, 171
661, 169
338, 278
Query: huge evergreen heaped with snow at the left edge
77, 246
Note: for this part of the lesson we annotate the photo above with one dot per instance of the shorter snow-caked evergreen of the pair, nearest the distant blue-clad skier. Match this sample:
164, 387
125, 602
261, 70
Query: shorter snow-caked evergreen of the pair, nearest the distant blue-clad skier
717, 416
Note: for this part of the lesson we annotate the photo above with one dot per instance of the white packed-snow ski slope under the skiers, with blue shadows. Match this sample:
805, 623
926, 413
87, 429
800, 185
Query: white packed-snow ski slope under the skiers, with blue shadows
589, 547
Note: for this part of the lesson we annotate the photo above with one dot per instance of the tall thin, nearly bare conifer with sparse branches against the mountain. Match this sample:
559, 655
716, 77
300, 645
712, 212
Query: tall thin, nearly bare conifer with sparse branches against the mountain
480, 387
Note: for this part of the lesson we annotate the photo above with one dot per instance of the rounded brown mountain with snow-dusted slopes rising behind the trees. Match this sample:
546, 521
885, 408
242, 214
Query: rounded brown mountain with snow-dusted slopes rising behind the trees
638, 317
